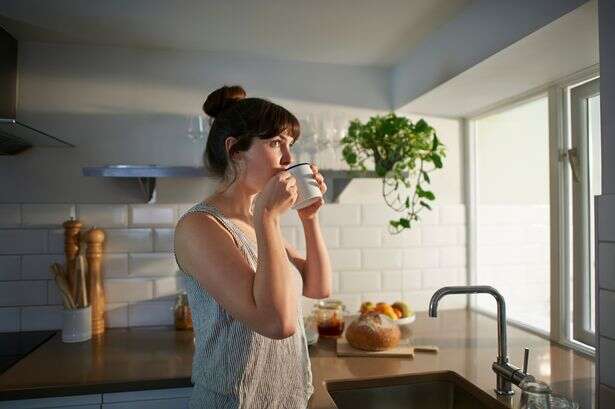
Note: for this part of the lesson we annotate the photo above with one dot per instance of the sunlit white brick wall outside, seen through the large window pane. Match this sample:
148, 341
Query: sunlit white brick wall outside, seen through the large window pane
513, 257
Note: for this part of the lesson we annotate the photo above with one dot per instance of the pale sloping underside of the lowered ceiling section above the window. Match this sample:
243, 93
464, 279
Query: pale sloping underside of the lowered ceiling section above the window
563, 47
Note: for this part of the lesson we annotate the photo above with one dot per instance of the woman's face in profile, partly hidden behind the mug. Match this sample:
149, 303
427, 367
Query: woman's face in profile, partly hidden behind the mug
264, 159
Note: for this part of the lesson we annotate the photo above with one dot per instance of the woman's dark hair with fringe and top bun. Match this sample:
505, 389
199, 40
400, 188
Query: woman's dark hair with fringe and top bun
245, 119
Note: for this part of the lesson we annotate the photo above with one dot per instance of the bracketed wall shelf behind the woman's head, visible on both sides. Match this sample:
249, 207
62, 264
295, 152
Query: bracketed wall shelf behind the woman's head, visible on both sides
337, 180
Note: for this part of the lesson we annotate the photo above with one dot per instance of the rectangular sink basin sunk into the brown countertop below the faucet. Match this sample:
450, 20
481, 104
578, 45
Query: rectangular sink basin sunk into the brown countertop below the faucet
435, 390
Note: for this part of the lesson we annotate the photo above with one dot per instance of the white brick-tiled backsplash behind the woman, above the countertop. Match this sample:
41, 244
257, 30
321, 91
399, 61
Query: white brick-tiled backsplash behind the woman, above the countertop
140, 271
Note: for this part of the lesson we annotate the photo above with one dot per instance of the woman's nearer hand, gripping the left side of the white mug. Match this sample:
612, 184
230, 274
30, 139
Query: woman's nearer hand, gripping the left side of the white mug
278, 195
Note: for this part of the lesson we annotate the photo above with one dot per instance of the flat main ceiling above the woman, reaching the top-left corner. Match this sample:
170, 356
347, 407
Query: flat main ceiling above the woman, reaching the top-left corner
354, 32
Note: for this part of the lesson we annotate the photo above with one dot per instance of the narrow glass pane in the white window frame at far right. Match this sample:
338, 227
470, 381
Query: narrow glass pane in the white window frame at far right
595, 188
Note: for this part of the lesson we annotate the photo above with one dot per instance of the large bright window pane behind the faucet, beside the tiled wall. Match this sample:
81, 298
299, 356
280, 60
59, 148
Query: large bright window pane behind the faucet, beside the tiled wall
513, 211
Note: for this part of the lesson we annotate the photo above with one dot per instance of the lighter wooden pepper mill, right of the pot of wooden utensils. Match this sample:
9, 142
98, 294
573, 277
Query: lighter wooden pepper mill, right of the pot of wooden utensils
95, 238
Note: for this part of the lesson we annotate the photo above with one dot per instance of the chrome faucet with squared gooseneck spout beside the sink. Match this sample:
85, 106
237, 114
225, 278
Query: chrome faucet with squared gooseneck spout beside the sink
506, 374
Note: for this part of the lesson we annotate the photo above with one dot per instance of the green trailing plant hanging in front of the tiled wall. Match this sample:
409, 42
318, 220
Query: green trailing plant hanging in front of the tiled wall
404, 154
